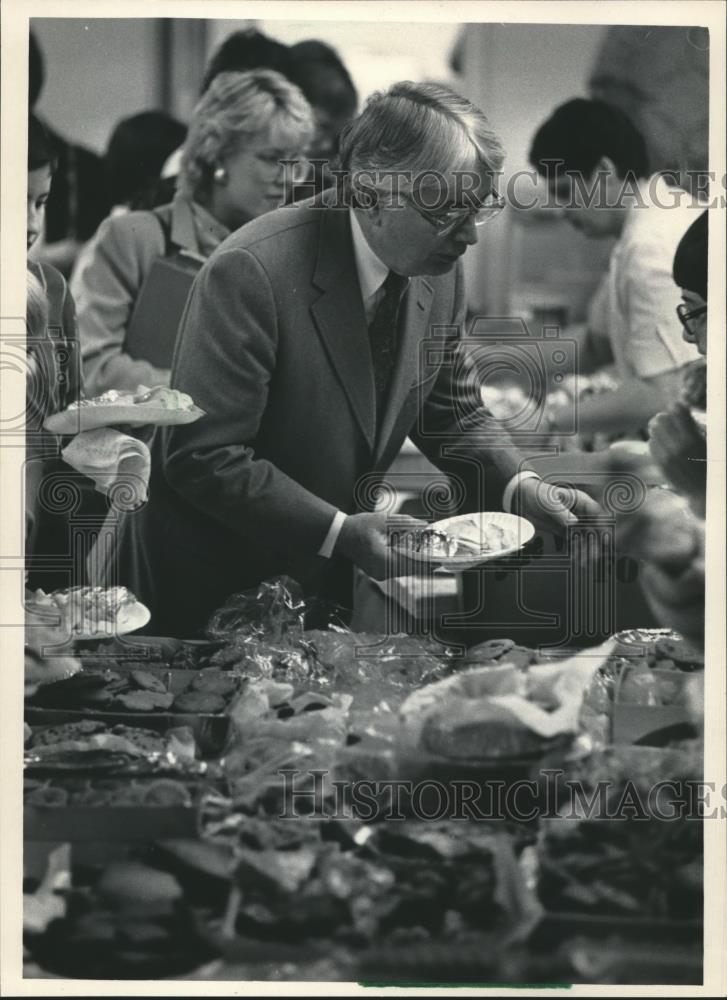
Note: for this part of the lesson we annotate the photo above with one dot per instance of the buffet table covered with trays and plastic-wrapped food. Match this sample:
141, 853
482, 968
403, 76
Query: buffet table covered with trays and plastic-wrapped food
267, 805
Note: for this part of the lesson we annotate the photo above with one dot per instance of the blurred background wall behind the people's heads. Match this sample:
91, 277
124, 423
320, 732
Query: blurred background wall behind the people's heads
100, 70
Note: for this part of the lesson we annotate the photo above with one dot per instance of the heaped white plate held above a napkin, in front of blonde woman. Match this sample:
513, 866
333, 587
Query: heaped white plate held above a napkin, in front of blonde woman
158, 406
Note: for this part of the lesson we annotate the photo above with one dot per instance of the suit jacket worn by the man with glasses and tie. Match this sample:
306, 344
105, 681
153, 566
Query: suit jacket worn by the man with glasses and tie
274, 347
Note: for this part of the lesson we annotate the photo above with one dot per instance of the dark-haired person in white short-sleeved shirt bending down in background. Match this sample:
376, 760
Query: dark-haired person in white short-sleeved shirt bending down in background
595, 163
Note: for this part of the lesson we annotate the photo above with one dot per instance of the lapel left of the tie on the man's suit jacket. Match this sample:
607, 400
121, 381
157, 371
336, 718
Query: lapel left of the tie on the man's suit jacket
340, 319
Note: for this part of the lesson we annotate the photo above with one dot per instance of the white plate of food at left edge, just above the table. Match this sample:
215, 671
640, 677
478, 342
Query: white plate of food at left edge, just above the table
89, 613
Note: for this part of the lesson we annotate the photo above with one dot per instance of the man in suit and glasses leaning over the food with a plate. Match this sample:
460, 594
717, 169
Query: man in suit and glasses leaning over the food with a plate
316, 339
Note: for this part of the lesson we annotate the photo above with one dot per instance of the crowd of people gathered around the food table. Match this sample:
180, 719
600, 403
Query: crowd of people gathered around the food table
307, 293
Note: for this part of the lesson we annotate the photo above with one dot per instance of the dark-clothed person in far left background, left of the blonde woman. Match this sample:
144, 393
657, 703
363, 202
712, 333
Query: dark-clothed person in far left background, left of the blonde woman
78, 199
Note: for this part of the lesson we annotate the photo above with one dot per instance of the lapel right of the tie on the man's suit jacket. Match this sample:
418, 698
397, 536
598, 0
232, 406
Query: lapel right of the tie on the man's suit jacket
417, 306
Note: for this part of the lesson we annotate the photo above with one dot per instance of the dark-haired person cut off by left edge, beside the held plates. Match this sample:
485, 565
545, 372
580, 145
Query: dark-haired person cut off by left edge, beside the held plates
53, 381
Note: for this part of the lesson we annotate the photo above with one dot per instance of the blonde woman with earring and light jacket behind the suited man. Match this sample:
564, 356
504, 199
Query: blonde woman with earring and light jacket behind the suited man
243, 129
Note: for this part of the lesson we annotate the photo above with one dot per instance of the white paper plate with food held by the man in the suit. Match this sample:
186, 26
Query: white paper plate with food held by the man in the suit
465, 541
